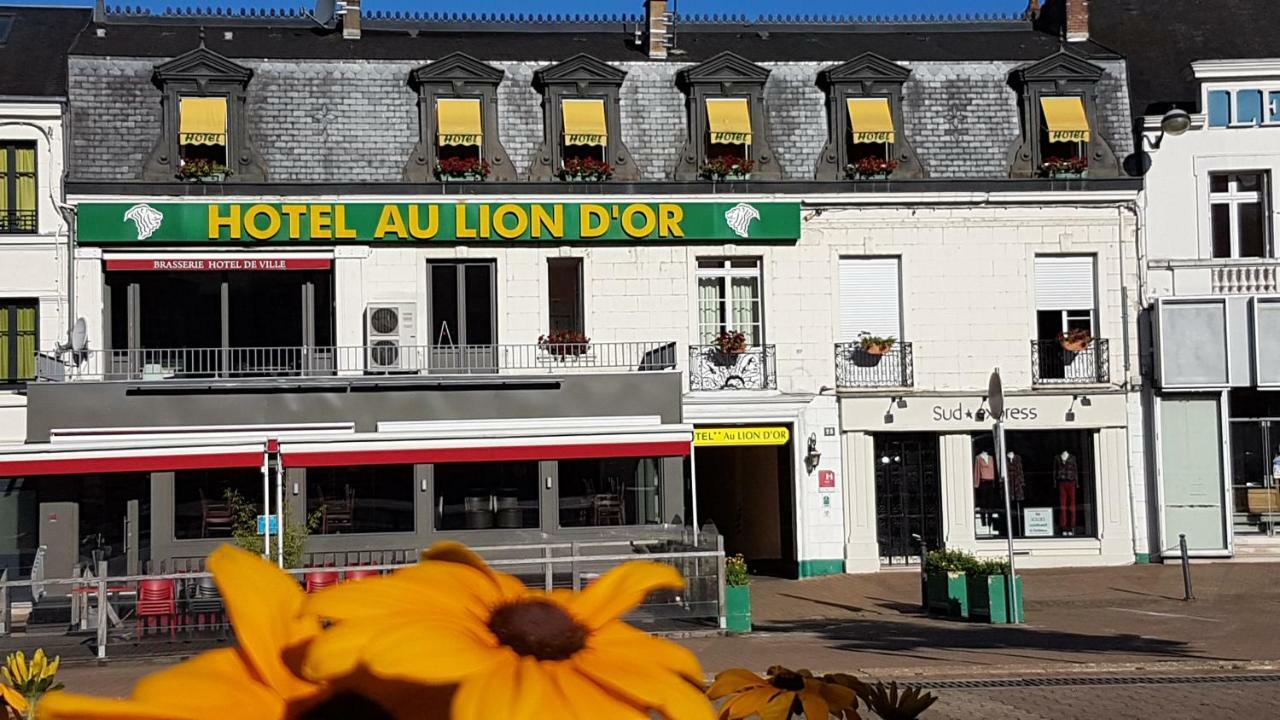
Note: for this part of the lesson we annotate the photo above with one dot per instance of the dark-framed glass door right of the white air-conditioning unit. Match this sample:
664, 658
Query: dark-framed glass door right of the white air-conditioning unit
461, 318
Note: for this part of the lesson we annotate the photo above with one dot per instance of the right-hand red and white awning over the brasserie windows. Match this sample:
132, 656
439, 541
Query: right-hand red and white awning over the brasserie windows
493, 441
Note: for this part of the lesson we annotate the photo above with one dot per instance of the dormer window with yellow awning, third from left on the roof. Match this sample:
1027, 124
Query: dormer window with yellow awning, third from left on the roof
582, 129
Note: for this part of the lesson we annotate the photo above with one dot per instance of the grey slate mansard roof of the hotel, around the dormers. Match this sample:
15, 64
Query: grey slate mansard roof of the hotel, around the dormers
323, 110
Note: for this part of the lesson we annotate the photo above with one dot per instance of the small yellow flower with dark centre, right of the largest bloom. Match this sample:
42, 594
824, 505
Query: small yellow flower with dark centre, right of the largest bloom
780, 695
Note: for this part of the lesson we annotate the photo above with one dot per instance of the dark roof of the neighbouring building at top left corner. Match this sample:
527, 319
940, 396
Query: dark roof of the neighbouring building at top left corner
34, 51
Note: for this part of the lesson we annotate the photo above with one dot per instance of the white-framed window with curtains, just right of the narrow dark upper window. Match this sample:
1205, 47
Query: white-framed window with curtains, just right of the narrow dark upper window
730, 300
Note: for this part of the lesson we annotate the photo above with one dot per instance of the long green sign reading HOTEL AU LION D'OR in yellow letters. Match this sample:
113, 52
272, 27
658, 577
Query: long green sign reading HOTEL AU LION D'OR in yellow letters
282, 224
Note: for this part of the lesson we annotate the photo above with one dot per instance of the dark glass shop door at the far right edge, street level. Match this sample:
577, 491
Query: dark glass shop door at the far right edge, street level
1256, 477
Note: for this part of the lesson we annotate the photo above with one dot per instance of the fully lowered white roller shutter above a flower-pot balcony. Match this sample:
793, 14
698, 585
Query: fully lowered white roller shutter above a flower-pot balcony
870, 298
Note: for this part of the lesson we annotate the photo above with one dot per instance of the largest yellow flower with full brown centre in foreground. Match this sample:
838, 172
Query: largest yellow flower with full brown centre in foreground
513, 653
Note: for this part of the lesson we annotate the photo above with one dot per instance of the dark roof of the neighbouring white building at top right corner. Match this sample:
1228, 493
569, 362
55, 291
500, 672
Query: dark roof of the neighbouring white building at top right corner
1163, 39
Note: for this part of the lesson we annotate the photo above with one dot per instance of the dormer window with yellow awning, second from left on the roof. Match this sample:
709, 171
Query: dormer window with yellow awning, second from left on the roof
458, 101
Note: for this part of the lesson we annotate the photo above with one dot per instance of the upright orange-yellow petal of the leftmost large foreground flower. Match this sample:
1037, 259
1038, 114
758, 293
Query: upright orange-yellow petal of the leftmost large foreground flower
263, 604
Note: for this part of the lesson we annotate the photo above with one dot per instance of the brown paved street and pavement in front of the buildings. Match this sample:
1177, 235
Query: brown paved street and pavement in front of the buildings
1089, 630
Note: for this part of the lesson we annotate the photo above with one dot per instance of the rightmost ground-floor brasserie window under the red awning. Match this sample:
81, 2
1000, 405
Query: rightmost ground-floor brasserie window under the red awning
618, 491
